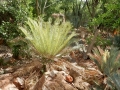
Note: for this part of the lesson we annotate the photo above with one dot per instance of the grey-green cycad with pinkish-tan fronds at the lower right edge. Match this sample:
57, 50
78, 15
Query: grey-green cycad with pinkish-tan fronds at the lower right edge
109, 63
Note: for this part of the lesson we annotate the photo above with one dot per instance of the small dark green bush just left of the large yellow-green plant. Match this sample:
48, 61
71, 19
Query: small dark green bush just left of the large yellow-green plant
20, 48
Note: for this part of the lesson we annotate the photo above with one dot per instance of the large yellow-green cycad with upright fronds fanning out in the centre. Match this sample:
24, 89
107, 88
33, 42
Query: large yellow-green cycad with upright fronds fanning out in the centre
47, 39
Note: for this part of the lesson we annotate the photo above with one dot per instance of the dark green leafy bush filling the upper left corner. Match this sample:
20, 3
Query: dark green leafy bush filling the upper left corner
13, 13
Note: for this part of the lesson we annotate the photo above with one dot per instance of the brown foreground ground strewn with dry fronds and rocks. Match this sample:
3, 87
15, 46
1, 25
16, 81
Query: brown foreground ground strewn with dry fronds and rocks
28, 74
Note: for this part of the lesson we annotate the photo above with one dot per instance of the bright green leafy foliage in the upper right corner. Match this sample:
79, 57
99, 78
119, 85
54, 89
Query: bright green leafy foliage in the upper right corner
109, 18
